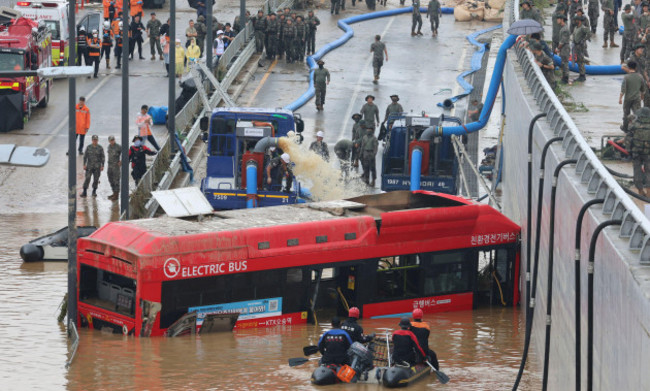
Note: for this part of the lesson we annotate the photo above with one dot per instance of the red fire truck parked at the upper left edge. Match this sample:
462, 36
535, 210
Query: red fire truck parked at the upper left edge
24, 45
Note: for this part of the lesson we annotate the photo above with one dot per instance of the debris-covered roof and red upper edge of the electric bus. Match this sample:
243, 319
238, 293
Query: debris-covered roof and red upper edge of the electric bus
431, 219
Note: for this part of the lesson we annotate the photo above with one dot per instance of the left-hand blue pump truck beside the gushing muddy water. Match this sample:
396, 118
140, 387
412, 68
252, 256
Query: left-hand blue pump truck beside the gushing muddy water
238, 152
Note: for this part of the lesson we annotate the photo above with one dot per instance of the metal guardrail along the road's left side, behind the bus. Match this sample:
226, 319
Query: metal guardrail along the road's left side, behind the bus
161, 173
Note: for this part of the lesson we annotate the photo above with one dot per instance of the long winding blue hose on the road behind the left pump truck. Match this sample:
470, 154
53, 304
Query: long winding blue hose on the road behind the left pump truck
348, 33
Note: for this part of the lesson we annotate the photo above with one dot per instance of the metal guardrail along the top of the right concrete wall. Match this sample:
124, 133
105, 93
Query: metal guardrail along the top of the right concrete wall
589, 168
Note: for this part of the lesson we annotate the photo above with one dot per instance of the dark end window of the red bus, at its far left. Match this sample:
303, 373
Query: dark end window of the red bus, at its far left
107, 290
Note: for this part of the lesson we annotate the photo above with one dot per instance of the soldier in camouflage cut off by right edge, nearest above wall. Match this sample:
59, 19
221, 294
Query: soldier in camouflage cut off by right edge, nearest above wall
640, 135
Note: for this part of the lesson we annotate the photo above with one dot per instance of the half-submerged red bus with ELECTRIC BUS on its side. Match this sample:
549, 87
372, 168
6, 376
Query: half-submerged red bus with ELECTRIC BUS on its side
385, 254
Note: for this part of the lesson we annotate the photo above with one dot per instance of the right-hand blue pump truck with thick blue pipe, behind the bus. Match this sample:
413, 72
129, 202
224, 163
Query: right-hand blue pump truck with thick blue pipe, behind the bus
414, 158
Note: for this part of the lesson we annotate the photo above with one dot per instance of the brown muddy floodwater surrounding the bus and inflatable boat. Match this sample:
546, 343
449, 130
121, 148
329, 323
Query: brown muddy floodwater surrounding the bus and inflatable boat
479, 350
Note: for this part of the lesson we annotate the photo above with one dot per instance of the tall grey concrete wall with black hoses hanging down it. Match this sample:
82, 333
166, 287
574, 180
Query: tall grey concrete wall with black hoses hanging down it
621, 282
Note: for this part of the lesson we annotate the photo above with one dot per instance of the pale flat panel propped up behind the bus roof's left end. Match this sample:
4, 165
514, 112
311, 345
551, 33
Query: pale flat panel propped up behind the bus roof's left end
183, 202
